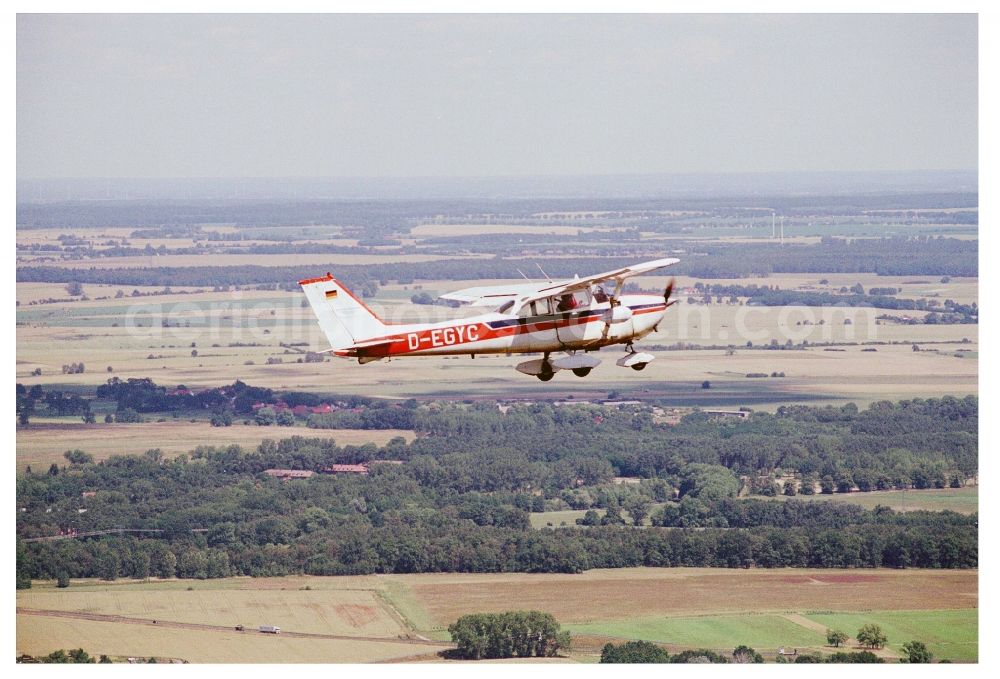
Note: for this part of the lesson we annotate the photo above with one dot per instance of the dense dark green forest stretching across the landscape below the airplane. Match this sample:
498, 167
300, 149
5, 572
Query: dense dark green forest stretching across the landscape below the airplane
460, 500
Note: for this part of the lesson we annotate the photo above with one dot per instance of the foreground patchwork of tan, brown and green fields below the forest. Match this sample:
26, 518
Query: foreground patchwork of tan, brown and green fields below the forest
384, 617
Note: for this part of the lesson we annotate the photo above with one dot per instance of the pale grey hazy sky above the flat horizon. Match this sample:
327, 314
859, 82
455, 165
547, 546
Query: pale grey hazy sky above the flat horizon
461, 95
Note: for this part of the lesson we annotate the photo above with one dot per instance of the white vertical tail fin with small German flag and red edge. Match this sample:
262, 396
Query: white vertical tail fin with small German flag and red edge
343, 318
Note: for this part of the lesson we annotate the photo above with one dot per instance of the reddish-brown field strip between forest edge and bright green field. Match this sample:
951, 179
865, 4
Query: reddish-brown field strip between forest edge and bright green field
649, 592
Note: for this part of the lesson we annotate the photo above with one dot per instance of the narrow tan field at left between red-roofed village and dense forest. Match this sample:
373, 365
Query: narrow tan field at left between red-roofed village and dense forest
41, 444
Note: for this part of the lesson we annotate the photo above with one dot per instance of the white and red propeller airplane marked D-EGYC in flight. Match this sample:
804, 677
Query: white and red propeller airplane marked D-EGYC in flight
575, 317
